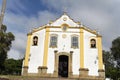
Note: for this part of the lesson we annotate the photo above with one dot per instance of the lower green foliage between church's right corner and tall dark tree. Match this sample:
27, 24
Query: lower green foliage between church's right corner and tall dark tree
110, 69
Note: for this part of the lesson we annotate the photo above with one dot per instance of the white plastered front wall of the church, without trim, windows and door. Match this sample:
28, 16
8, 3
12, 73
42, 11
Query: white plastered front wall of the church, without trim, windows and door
63, 45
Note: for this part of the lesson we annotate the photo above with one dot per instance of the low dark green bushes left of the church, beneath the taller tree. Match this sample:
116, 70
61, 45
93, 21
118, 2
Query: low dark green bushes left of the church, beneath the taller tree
13, 67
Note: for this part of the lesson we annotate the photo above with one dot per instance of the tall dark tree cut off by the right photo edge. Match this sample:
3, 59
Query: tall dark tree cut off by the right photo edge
115, 50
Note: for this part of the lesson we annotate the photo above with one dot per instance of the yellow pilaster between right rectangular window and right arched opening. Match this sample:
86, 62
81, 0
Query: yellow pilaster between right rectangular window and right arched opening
81, 48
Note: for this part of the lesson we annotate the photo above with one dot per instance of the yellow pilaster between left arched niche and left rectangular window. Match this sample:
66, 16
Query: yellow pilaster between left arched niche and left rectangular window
46, 47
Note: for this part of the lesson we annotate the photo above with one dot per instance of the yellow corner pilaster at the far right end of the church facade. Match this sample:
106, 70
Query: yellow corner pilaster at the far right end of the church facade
100, 61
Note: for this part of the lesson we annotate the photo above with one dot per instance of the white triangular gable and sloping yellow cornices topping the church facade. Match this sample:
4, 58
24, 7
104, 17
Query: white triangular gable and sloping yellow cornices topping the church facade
65, 20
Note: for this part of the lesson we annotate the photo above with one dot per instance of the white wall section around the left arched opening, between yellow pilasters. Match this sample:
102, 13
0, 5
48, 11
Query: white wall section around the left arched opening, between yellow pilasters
36, 52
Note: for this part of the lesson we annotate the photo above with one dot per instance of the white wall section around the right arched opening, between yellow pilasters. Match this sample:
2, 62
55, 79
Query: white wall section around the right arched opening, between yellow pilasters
90, 54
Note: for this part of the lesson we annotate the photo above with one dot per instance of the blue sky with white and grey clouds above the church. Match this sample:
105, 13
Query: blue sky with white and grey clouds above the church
23, 15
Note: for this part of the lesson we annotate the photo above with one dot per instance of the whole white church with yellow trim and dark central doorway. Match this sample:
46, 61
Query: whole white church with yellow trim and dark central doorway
64, 48
